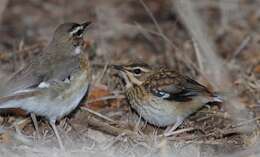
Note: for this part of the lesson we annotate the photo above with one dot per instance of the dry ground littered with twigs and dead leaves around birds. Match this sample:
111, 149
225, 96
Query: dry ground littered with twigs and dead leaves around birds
215, 42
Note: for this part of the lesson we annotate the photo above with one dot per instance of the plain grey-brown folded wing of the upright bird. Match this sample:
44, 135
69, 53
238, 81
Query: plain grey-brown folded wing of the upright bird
41, 69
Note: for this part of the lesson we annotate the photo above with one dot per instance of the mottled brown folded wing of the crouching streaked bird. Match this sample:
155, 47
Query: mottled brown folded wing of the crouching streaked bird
173, 86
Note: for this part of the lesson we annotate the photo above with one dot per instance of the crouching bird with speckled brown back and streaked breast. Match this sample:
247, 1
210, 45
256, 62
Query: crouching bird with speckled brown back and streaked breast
161, 96
